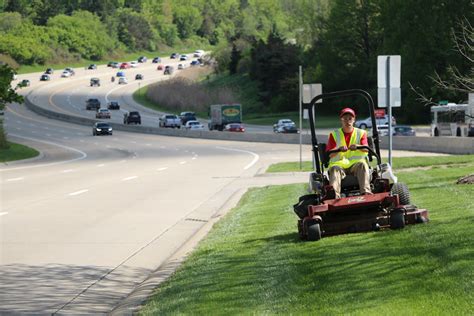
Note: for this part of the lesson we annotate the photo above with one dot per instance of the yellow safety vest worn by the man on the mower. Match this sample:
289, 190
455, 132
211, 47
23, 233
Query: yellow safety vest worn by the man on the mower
347, 159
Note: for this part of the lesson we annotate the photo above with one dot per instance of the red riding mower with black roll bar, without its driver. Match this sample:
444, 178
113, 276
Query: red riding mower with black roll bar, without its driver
321, 214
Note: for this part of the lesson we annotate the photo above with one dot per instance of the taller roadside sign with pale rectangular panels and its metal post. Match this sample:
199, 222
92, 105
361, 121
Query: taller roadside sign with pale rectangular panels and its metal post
389, 93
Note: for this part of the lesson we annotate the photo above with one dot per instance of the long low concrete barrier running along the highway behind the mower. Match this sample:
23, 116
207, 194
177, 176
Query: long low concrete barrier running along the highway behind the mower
448, 145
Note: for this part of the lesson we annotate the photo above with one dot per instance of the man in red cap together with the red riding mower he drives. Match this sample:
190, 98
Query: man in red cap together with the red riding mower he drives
344, 203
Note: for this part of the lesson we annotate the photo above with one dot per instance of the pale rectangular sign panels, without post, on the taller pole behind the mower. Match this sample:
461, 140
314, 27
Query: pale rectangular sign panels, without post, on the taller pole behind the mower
389, 82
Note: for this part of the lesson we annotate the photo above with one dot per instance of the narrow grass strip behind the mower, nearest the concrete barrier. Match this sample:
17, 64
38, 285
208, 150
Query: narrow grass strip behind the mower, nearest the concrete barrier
398, 163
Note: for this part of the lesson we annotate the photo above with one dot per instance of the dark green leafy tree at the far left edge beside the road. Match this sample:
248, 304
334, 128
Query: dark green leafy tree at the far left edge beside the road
7, 95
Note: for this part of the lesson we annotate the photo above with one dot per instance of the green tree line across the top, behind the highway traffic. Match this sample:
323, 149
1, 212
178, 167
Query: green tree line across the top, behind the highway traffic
336, 42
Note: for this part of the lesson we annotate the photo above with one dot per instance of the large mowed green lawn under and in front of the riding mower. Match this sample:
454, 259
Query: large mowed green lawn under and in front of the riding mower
252, 261
